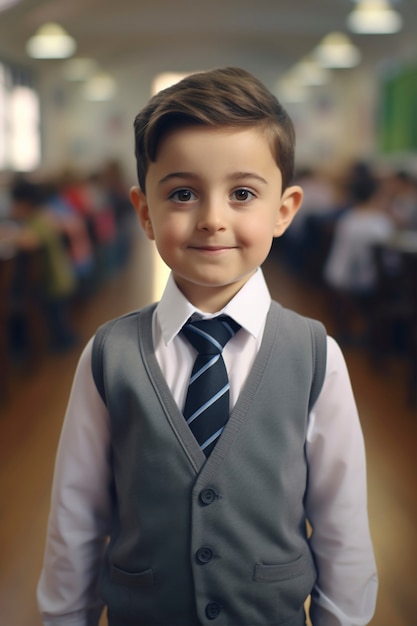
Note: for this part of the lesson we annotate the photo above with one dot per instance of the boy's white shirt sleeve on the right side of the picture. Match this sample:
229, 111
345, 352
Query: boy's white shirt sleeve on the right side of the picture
346, 588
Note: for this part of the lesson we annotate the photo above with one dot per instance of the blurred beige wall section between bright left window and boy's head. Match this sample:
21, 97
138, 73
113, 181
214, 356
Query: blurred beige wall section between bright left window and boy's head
82, 134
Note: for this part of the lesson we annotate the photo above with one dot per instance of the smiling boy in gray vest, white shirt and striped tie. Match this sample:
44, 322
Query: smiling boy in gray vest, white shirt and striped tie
211, 531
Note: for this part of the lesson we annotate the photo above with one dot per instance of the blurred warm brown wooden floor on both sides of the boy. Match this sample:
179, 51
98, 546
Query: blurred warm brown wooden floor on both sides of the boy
31, 420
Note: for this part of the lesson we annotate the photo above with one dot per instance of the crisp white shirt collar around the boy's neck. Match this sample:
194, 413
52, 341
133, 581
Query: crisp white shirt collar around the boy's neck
248, 308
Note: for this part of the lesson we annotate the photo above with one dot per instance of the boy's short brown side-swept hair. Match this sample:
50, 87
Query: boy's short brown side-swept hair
229, 97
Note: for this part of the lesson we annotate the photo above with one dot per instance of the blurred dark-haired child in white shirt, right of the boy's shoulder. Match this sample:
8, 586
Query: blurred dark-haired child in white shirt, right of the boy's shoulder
350, 267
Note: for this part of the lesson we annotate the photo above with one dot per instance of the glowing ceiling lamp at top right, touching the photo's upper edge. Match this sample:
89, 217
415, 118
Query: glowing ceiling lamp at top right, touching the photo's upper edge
374, 17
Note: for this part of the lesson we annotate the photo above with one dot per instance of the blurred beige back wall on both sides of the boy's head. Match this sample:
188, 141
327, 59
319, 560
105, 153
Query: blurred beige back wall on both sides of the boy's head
335, 126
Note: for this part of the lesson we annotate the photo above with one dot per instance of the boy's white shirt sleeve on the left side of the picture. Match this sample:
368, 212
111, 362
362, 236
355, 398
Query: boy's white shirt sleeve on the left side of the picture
80, 509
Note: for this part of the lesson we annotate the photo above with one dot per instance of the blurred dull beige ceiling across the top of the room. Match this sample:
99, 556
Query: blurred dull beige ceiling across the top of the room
264, 36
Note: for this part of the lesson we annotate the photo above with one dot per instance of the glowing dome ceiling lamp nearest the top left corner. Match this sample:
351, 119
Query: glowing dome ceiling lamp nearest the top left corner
51, 42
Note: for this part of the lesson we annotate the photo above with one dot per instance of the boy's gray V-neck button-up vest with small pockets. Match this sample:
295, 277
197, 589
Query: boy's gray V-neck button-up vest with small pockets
219, 541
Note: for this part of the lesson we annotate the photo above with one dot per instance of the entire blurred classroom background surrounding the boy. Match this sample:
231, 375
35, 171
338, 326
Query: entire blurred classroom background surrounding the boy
73, 75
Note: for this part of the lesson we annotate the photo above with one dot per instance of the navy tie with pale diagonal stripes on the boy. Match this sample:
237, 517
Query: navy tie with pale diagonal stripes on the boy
207, 403
